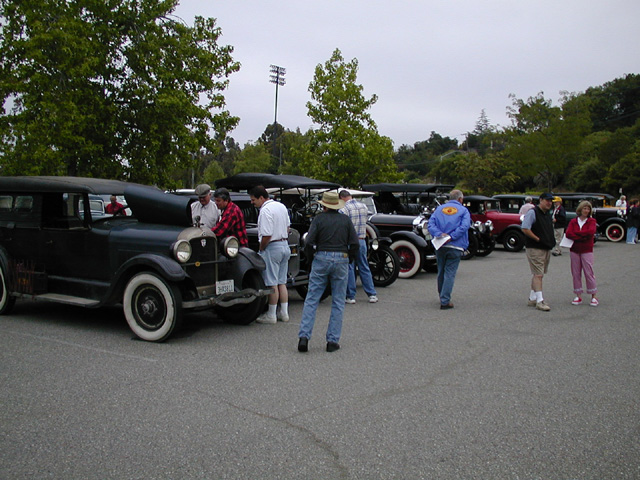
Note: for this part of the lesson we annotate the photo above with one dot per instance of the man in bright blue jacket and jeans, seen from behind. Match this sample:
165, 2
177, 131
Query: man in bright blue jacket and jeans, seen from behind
449, 224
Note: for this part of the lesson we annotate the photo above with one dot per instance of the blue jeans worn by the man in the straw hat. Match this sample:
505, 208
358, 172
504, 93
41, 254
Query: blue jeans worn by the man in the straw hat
327, 268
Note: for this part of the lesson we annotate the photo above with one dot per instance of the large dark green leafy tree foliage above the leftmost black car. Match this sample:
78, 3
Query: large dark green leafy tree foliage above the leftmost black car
111, 88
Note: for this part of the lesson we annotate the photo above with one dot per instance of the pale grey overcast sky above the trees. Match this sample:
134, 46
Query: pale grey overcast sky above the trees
434, 65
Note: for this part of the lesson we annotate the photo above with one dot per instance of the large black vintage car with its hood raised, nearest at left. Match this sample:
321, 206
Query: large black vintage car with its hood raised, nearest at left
153, 262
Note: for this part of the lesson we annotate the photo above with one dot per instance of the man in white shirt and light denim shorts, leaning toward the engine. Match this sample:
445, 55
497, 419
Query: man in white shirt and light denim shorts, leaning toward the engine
273, 235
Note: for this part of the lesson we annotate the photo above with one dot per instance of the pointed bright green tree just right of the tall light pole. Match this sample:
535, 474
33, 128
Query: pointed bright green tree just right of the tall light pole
346, 147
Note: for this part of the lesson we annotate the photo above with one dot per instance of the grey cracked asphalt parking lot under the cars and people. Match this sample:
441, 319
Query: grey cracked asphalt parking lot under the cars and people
492, 389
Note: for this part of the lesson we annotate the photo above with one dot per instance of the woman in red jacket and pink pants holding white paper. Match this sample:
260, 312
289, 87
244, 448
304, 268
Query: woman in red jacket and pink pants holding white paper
581, 230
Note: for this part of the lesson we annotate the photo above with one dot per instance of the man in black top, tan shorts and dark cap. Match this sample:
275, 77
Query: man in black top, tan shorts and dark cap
538, 229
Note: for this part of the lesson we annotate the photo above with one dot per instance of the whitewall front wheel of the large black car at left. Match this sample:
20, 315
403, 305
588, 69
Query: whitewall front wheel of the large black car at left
152, 307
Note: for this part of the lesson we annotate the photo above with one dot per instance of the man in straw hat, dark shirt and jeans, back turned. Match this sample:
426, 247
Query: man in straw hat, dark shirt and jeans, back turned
335, 241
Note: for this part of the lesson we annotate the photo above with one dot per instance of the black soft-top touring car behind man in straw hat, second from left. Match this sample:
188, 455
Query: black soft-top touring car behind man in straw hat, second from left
300, 194
